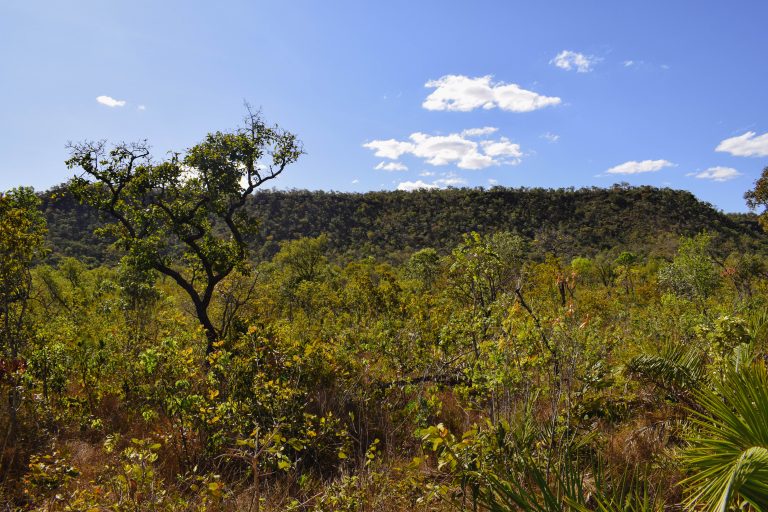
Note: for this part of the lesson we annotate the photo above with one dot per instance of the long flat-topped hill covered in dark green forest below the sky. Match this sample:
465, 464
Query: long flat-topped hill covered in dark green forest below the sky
393, 224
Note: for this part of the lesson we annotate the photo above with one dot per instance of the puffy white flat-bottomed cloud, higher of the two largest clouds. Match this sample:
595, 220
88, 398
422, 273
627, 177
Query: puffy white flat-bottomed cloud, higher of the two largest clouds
463, 94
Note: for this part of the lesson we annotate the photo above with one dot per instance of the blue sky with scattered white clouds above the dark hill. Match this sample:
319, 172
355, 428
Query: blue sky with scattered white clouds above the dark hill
433, 93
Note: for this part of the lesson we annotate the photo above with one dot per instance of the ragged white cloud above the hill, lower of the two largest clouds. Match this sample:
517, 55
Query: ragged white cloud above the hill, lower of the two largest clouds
454, 148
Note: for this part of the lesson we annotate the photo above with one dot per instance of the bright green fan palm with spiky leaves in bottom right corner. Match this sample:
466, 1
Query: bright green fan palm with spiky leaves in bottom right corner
728, 459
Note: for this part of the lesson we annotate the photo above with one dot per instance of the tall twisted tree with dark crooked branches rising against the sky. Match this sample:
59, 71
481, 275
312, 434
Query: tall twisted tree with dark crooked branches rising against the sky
184, 217
